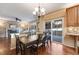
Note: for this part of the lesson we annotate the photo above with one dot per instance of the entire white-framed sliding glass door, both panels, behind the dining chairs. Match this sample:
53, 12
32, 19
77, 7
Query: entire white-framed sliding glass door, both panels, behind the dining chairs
55, 28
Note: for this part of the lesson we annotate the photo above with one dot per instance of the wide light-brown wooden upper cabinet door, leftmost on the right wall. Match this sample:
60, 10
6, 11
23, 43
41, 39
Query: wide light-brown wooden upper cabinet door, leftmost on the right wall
72, 16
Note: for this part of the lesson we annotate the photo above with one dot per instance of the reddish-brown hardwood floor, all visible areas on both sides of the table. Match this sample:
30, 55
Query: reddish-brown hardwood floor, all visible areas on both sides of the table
52, 49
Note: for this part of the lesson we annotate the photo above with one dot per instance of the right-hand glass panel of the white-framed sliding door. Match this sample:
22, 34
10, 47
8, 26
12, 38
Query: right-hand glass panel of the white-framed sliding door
57, 30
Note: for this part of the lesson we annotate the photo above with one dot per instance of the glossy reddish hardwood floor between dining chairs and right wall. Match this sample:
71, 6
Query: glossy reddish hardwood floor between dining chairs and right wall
55, 49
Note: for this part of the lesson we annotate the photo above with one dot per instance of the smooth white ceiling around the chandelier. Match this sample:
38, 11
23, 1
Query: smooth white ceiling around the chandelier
24, 11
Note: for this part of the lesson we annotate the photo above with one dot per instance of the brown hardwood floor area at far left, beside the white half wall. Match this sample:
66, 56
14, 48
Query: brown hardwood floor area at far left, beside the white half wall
4, 47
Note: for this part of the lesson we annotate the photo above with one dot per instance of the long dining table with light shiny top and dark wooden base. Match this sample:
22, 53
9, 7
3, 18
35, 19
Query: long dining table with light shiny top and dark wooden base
33, 39
